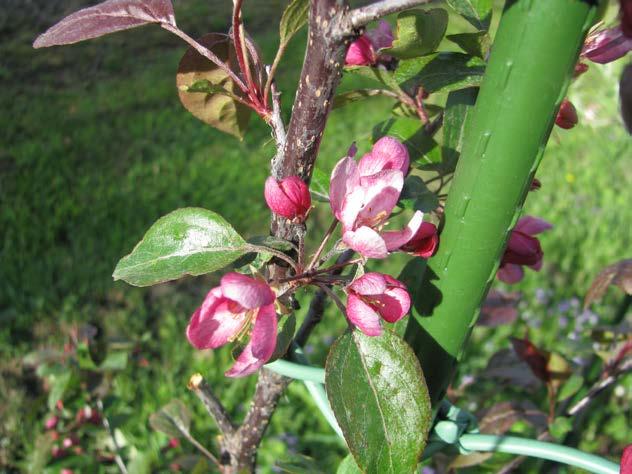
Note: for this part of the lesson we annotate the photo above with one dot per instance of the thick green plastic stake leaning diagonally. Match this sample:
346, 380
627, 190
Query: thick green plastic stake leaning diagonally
533, 56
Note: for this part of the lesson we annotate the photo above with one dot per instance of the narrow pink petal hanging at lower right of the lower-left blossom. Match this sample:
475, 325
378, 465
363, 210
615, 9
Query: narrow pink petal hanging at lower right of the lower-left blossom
261, 346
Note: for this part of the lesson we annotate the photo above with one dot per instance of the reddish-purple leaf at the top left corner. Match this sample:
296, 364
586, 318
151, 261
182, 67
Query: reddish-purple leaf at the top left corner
104, 18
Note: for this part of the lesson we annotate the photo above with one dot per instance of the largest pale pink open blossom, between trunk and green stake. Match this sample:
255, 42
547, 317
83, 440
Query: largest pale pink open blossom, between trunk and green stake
362, 196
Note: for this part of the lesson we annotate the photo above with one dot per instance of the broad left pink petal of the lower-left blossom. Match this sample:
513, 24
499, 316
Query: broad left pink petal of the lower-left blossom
213, 324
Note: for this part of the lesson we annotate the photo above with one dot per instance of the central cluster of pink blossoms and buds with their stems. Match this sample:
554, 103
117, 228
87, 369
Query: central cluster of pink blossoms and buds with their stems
362, 195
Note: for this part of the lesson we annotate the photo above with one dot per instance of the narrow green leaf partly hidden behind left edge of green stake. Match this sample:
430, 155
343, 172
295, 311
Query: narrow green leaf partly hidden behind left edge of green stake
457, 110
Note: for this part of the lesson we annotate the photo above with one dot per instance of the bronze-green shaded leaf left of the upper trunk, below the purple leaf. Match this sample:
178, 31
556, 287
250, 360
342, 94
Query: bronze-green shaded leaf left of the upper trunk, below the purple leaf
215, 105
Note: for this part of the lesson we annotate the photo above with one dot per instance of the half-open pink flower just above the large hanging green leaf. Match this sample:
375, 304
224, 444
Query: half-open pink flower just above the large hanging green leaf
375, 296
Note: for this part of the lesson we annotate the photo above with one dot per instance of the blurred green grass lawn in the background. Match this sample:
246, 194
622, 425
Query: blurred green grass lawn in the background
96, 147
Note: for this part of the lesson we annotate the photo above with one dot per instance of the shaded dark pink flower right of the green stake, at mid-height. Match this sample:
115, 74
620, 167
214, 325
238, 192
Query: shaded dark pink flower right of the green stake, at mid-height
522, 249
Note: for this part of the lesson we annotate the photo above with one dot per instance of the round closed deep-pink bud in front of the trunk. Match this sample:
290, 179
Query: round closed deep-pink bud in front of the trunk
289, 197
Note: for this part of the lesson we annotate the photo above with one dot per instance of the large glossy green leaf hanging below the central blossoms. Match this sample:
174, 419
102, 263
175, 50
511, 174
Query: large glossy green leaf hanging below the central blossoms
378, 394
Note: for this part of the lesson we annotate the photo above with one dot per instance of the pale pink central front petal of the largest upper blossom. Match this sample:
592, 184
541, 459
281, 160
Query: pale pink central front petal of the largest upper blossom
382, 191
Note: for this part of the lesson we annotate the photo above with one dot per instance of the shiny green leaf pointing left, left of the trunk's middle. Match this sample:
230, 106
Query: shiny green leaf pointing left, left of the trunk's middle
189, 241
